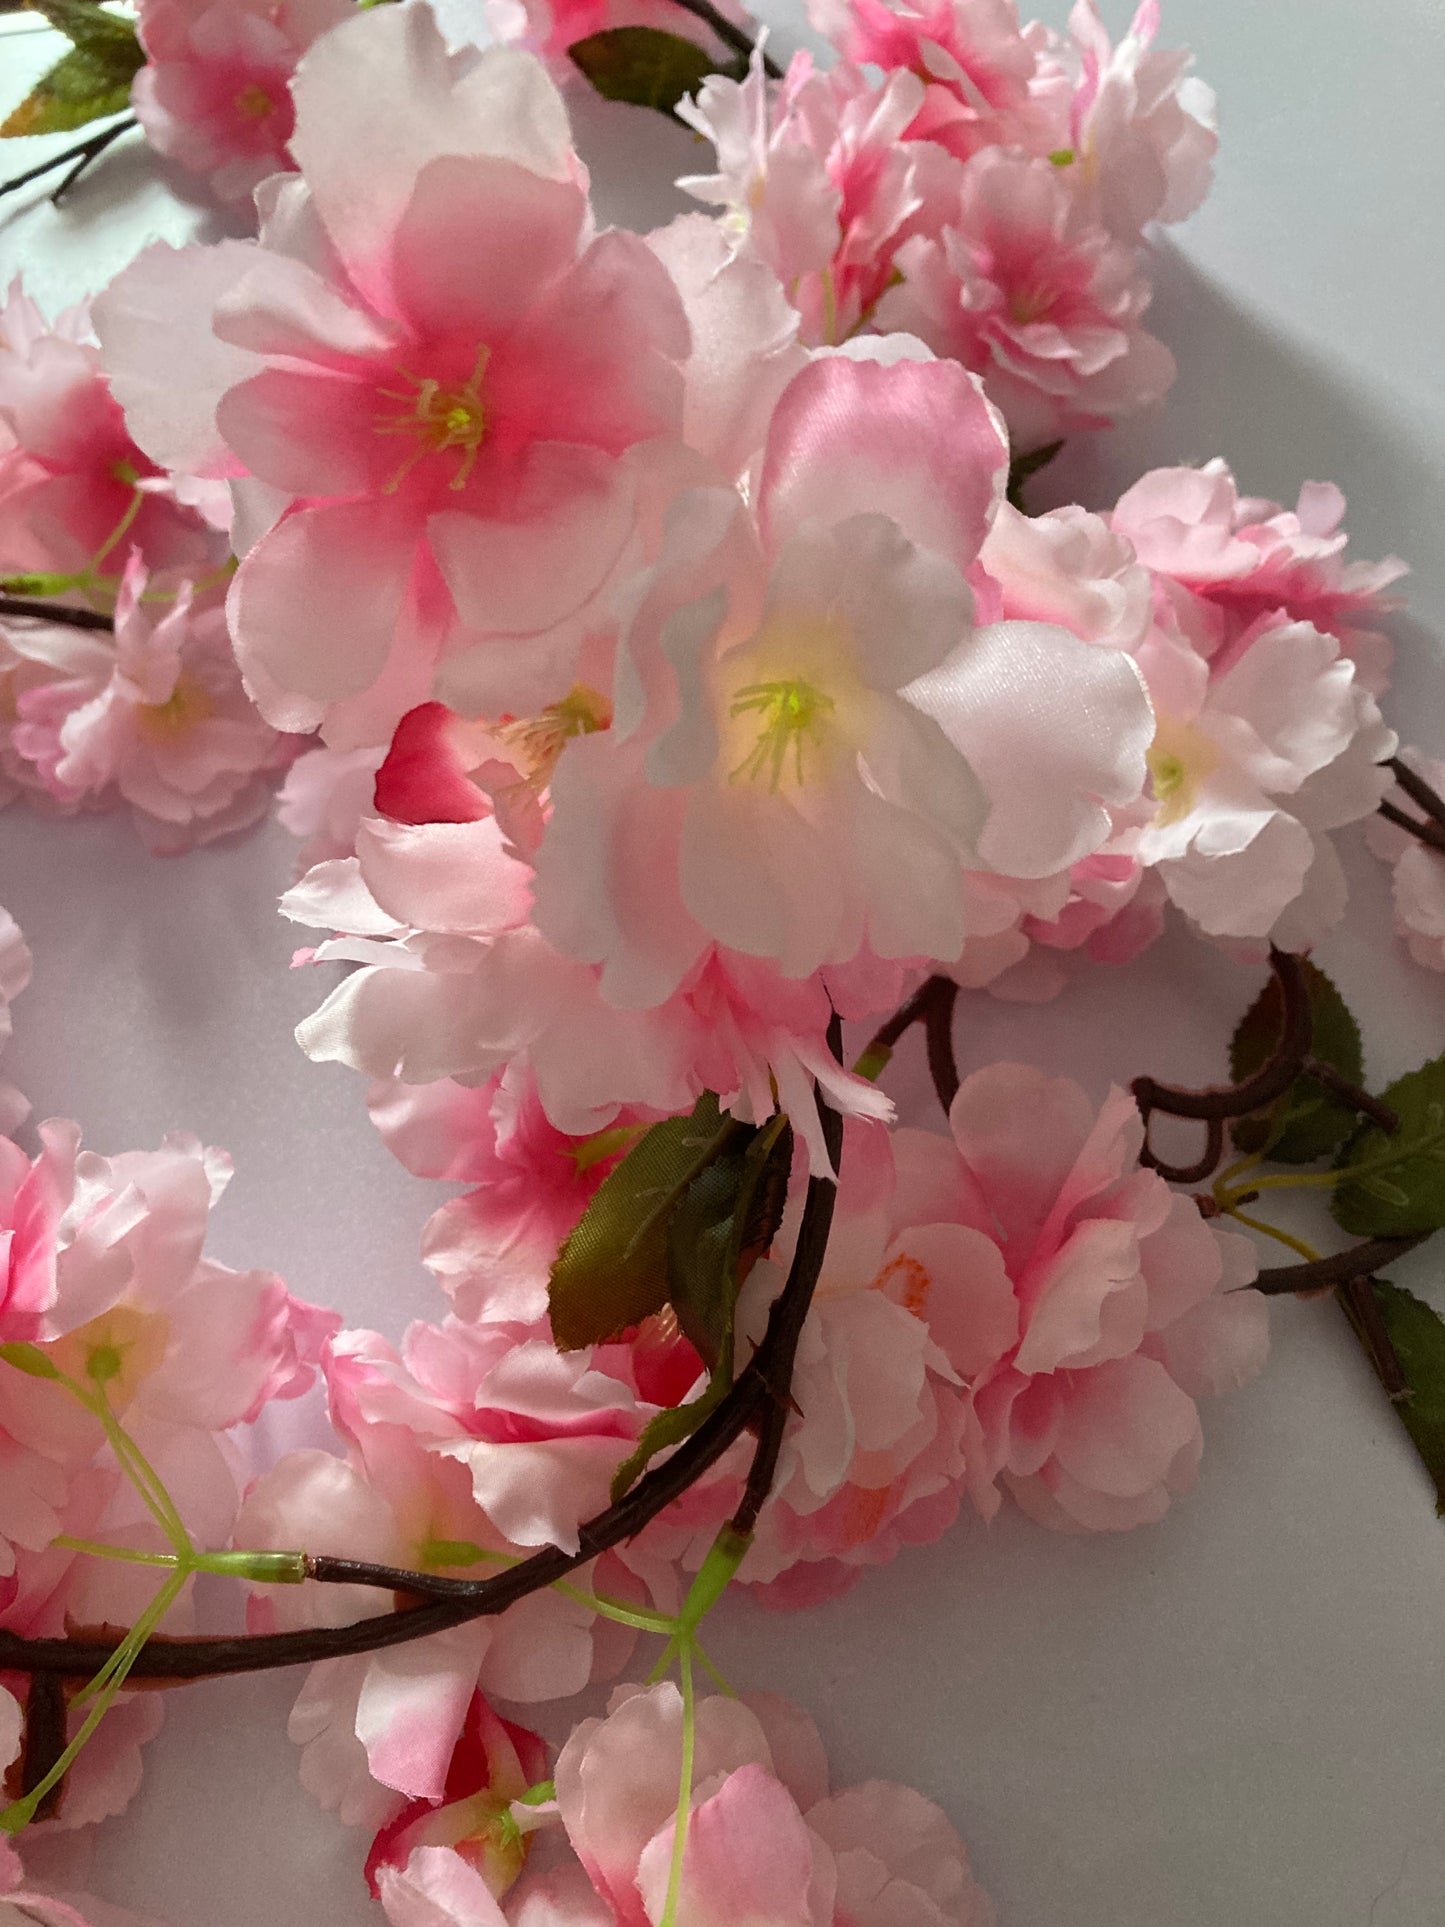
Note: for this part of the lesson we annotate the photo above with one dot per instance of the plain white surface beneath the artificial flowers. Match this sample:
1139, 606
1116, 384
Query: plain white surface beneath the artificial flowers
1234, 1720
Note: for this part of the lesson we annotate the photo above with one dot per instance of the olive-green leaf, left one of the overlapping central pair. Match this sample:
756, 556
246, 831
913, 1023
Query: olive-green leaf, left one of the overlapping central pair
612, 1273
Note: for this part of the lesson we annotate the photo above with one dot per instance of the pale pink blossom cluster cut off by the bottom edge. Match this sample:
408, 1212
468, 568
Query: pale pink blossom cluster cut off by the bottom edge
766, 1839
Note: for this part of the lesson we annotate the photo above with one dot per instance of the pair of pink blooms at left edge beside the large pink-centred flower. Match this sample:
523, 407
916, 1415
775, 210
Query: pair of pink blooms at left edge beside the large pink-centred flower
147, 712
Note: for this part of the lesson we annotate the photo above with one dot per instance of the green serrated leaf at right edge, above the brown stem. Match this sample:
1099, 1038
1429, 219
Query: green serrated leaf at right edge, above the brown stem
1402, 1188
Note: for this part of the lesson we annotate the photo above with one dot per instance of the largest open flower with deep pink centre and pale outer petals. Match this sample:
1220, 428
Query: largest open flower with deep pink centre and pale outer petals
438, 452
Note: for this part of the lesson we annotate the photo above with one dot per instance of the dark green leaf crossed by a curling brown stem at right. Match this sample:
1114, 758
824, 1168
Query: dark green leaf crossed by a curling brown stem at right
1311, 1122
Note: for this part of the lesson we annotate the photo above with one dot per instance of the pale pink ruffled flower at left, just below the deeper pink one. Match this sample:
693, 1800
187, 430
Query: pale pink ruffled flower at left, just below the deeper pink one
159, 718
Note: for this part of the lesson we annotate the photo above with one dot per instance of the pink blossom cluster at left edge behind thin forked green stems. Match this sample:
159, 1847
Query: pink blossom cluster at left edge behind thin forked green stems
103, 1279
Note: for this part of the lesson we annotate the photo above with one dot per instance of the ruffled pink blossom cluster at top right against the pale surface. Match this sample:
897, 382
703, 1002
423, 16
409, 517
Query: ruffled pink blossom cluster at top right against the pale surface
974, 182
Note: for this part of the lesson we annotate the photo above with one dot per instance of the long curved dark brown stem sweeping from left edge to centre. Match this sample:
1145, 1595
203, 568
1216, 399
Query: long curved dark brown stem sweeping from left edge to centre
756, 1400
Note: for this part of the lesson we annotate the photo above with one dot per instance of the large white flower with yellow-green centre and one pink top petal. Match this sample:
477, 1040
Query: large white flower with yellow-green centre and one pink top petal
804, 770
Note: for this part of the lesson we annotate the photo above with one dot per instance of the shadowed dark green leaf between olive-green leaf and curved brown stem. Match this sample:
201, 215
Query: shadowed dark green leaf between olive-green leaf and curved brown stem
722, 1228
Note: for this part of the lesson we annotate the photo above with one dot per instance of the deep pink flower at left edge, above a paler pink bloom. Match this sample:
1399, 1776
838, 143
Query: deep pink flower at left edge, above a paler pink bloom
68, 465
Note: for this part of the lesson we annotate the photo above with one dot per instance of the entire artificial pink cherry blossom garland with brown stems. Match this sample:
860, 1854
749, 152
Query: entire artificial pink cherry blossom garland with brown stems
650, 618
